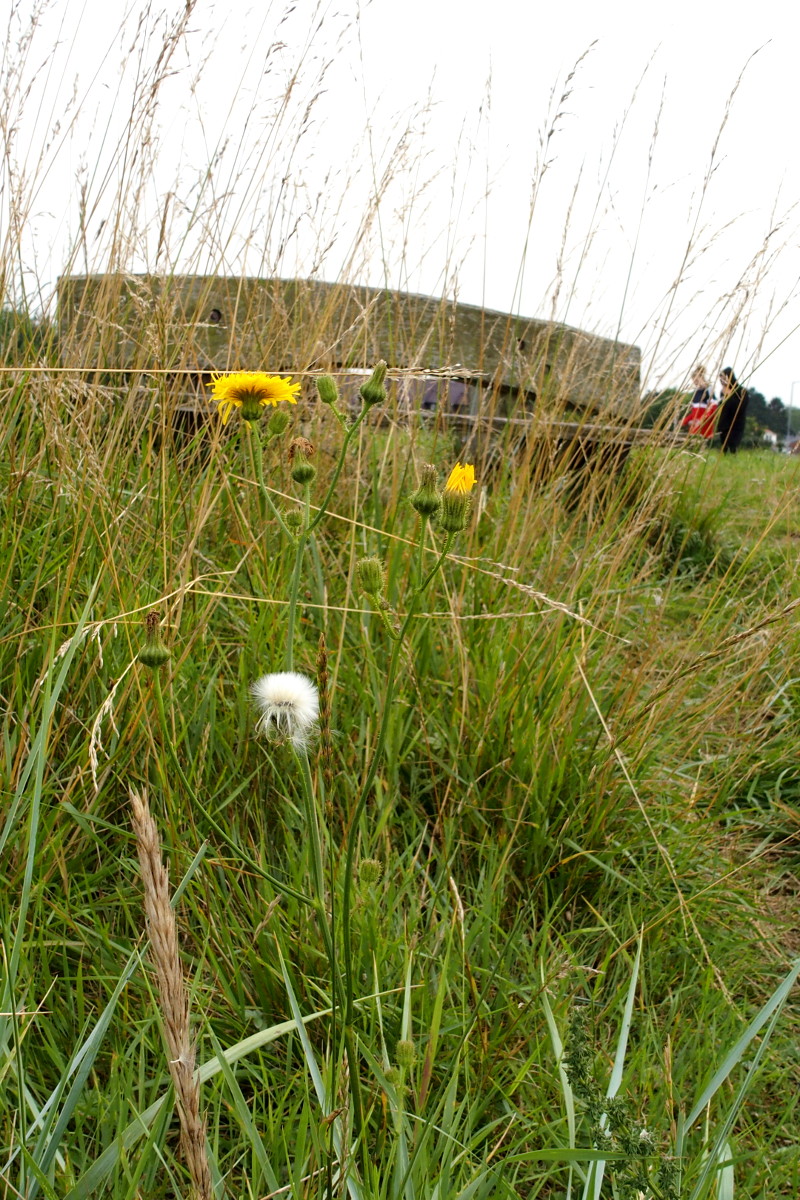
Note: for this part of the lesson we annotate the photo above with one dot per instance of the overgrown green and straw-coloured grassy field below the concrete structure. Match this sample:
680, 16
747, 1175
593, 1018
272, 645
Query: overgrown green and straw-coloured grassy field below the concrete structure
562, 811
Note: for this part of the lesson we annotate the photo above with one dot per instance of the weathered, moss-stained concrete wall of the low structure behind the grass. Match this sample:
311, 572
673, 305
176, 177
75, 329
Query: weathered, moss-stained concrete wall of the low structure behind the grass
208, 323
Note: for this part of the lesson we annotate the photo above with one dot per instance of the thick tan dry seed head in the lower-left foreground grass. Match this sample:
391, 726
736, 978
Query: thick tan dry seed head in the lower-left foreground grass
172, 991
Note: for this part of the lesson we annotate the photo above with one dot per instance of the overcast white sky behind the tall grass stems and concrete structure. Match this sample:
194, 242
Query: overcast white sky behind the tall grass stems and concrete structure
649, 193
